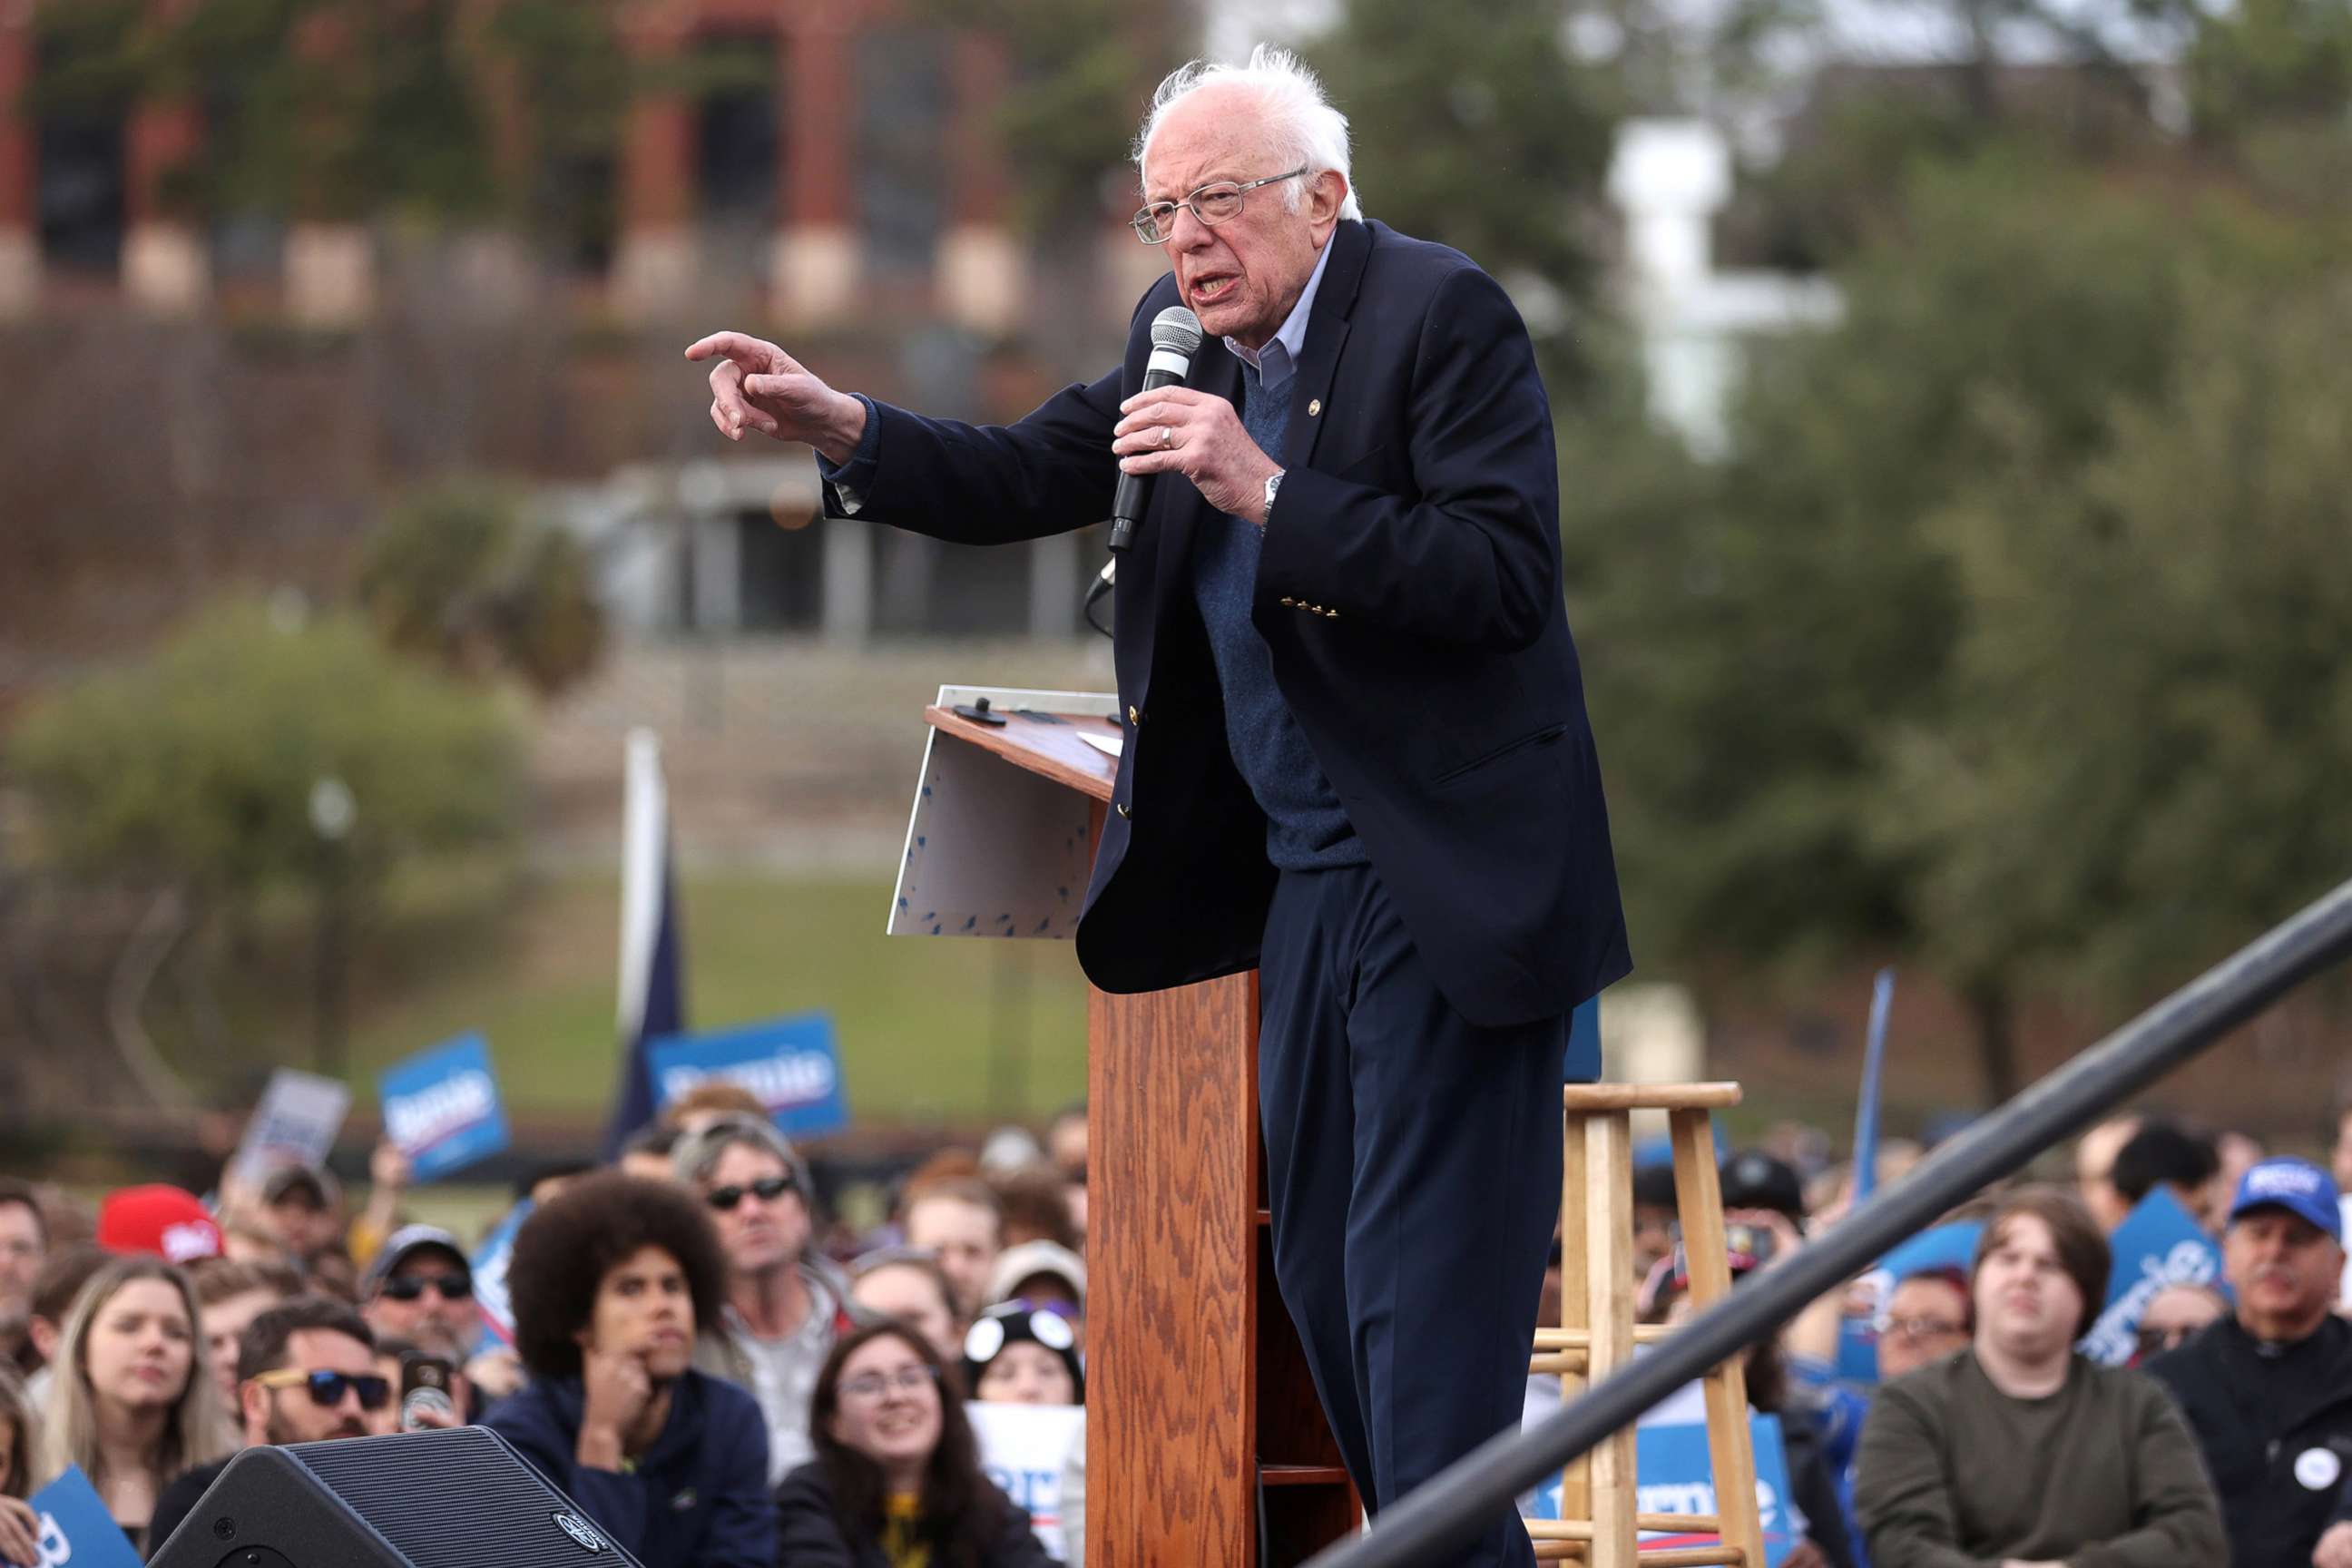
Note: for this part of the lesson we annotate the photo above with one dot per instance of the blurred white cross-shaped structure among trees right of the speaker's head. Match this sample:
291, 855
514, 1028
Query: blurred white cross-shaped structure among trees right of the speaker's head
1671, 177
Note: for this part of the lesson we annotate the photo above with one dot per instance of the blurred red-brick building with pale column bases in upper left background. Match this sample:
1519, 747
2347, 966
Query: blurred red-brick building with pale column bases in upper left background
850, 166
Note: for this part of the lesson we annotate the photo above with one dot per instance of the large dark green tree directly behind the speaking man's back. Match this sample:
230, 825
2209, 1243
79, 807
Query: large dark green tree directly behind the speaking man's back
1775, 643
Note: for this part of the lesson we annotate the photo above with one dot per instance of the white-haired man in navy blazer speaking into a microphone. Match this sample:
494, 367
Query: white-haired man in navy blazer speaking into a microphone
1356, 735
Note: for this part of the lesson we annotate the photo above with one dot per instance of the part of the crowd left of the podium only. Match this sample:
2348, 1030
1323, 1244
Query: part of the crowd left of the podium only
707, 1369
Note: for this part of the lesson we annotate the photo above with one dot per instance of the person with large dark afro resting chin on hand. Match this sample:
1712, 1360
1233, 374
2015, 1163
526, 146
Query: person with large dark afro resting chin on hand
610, 1287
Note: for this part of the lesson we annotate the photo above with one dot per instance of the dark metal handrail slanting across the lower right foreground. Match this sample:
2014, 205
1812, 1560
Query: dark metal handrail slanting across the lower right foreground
1462, 1501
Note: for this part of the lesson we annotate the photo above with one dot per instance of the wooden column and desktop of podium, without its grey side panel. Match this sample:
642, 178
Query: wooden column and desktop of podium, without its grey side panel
1205, 1442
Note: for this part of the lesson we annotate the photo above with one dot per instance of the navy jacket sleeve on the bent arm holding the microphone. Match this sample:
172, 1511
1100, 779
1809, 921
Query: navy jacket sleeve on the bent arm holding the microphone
1476, 561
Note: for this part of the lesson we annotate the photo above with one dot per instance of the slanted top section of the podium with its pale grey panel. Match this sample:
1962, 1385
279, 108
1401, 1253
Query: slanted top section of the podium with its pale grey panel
994, 850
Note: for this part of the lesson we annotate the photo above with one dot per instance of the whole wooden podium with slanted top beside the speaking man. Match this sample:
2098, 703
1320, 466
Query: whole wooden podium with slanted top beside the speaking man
1205, 1442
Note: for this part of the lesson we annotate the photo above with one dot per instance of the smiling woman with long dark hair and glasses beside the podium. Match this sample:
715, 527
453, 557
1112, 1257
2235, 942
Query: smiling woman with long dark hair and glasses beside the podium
897, 1477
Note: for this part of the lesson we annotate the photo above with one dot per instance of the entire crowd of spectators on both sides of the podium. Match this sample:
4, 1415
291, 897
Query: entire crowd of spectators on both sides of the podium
716, 1376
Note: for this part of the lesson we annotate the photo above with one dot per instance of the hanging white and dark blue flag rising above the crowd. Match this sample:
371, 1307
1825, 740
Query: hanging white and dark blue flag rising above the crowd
653, 967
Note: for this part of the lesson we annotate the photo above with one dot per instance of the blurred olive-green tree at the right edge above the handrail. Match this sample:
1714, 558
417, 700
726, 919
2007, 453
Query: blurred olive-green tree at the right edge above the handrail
2151, 713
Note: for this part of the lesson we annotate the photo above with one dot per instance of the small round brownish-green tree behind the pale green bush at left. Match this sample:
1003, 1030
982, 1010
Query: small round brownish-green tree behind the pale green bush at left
457, 575
